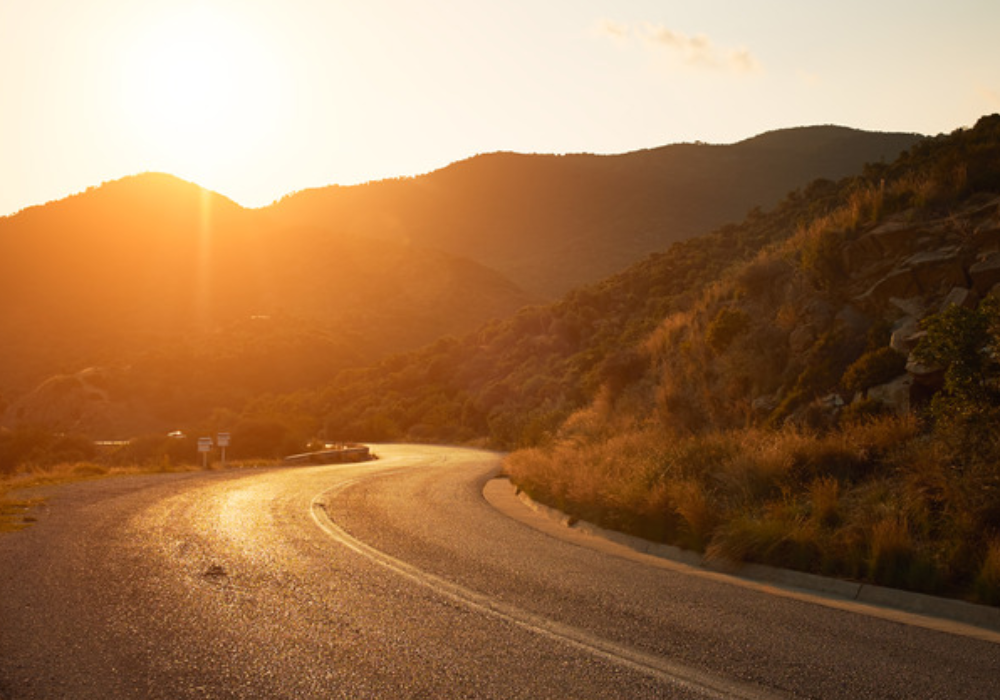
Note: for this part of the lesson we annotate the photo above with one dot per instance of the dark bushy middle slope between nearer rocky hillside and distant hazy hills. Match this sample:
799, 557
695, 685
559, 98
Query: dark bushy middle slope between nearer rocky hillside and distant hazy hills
515, 380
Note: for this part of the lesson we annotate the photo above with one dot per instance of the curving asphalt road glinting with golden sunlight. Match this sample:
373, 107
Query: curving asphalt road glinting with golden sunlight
397, 579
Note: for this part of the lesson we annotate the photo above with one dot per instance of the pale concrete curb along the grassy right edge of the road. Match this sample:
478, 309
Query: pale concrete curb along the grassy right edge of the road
982, 616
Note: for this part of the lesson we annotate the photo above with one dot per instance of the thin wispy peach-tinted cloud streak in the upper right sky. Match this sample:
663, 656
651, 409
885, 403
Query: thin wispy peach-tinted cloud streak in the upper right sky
697, 51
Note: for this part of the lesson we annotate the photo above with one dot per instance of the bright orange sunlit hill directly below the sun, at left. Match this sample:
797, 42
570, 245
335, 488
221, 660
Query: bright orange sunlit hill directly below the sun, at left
203, 304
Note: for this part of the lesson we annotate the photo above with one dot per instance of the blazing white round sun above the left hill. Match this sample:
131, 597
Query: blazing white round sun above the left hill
200, 89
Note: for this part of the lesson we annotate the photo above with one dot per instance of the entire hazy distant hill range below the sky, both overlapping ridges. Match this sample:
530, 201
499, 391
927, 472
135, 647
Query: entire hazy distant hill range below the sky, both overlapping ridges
190, 302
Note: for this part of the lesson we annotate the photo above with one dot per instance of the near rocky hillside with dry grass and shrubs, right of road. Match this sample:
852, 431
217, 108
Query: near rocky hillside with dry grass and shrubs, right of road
827, 402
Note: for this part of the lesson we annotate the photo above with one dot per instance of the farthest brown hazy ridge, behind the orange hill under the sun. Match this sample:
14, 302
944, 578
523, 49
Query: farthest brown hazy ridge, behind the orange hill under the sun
553, 223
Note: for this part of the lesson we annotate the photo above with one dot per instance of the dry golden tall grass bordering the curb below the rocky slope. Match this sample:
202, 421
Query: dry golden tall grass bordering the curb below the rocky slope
876, 501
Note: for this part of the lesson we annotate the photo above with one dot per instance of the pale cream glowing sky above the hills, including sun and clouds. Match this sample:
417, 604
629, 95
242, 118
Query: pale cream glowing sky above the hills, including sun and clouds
256, 99
